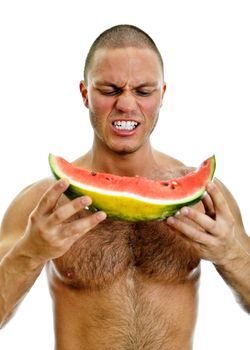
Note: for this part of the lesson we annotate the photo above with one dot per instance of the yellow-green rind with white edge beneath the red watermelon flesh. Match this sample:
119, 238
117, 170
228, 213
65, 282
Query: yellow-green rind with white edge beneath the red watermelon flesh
137, 208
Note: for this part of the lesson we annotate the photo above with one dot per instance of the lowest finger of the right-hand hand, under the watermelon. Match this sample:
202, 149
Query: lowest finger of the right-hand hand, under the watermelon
189, 231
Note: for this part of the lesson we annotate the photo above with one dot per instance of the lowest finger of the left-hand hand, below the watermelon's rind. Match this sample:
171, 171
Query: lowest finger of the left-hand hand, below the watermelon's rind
82, 226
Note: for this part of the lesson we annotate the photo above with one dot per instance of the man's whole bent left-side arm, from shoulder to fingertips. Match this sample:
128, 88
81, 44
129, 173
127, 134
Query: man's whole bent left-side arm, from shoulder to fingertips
32, 234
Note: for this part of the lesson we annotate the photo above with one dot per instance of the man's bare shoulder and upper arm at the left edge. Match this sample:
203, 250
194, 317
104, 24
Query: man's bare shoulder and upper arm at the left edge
15, 218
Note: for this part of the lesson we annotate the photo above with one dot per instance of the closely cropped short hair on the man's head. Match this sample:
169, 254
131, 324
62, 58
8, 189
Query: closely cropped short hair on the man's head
120, 36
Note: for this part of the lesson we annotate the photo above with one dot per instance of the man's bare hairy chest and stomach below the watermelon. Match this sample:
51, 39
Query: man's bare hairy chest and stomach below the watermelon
125, 286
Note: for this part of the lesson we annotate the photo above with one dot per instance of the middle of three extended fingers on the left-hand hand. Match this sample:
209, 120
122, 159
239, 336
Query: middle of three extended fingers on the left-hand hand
66, 211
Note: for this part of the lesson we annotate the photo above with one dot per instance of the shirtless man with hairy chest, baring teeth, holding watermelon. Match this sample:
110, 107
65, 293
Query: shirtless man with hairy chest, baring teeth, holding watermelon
118, 285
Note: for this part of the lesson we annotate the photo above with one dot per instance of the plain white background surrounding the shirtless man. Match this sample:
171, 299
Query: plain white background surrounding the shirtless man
205, 46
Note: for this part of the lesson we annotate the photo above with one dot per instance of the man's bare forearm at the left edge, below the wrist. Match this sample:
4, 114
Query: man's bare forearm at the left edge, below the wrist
18, 272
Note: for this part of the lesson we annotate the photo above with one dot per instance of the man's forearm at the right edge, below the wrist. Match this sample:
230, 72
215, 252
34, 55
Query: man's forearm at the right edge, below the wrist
236, 273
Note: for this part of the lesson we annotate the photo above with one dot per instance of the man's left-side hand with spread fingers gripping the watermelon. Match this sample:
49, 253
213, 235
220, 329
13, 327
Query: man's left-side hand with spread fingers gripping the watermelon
48, 234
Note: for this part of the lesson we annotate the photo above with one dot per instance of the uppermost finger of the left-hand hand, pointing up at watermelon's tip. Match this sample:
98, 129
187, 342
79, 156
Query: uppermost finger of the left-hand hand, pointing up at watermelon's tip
51, 196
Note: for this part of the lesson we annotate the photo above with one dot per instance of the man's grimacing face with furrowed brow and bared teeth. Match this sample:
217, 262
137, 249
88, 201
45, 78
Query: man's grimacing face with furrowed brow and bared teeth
124, 93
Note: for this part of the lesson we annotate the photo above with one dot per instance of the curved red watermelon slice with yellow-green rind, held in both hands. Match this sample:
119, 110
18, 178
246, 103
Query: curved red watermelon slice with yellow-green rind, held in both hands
134, 198
